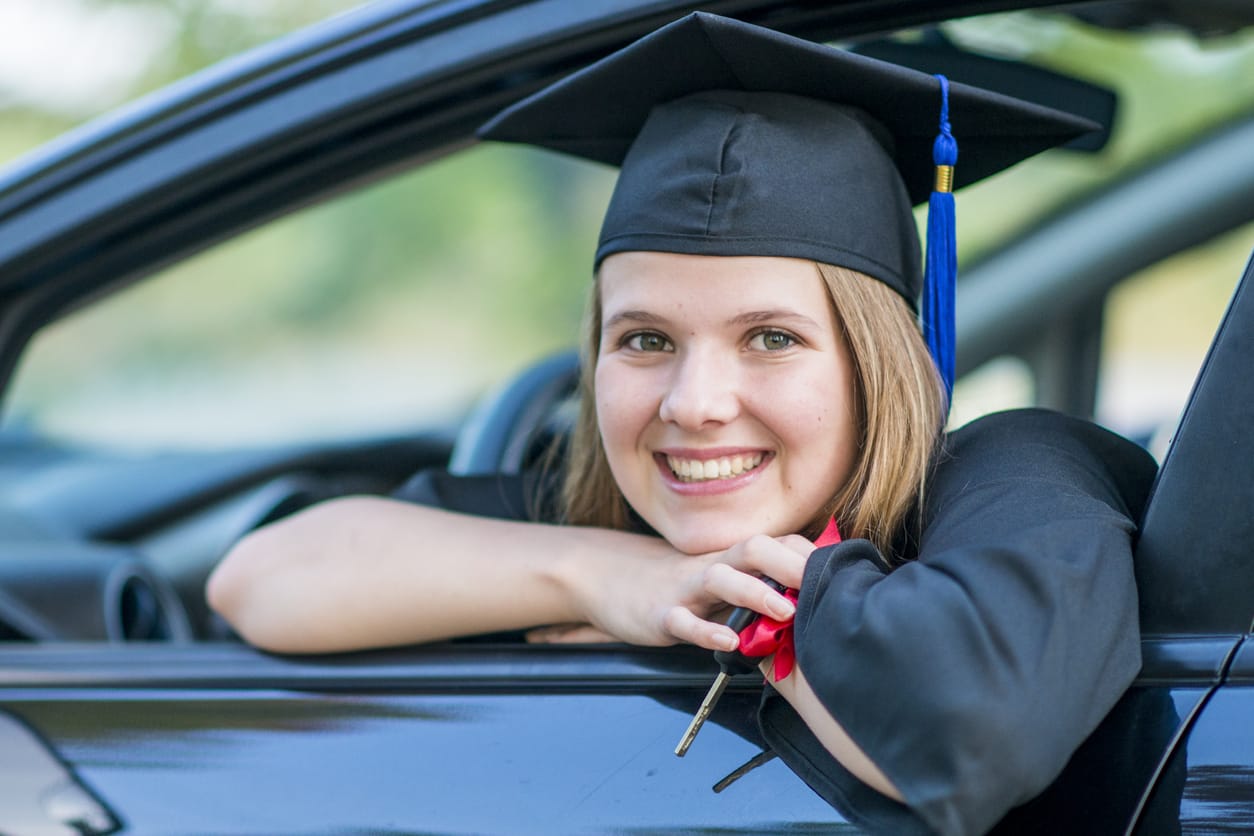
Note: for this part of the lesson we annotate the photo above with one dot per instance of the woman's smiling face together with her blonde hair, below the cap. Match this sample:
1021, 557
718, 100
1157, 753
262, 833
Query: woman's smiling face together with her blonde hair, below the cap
753, 350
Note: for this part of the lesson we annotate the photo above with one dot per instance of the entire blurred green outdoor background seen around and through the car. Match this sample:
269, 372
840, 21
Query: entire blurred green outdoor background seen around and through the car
394, 306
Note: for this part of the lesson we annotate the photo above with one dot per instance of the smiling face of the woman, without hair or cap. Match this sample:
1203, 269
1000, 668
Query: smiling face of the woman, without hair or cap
725, 394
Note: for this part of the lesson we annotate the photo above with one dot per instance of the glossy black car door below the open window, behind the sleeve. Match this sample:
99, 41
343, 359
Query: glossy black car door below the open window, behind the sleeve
156, 730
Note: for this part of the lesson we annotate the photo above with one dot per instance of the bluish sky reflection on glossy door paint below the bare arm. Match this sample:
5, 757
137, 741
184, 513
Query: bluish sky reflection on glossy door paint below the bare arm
423, 763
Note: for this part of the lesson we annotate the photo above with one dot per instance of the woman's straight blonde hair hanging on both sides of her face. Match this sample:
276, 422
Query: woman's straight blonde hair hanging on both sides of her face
901, 408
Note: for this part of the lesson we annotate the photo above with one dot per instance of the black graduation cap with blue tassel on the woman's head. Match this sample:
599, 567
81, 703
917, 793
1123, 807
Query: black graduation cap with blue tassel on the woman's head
740, 141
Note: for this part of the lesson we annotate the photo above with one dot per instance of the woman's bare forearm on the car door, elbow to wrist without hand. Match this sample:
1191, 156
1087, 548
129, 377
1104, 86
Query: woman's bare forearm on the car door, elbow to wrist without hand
371, 572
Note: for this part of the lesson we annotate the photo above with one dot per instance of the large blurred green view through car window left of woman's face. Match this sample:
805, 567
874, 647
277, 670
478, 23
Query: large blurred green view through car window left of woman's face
383, 311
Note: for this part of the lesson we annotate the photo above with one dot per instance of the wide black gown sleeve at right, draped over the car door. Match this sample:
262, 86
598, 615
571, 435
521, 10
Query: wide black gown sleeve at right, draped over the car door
971, 675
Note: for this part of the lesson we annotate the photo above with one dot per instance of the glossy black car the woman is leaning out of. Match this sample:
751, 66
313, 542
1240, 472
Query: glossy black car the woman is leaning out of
126, 706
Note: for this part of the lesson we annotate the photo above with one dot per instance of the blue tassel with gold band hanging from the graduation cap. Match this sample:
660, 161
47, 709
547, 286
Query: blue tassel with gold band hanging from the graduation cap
941, 269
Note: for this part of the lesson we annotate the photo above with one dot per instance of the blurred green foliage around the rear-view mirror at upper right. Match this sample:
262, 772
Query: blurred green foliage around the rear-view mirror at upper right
1171, 87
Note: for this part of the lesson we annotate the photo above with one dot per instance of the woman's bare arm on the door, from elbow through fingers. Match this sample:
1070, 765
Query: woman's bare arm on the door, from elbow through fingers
369, 572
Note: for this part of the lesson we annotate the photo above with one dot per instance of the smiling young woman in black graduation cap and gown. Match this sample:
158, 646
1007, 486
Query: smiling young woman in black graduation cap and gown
754, 377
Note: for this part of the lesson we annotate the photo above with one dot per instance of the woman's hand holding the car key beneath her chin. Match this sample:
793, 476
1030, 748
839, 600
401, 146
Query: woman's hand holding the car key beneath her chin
664, 597
